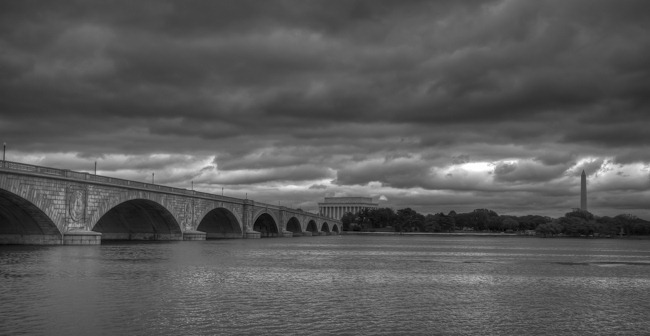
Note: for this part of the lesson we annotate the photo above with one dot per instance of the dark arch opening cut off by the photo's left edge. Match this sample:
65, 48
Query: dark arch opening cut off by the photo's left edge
22, 222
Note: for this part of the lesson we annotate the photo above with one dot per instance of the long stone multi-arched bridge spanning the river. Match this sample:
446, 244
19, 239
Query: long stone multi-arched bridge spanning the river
42, 205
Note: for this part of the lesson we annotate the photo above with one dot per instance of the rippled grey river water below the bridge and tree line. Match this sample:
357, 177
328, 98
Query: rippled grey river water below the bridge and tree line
329, 285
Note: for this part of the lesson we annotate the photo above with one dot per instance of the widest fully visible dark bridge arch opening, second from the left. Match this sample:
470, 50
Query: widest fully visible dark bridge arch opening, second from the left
138, 219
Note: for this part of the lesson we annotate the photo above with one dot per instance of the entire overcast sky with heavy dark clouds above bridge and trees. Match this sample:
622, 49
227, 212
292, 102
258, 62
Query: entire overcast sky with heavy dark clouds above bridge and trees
434, 105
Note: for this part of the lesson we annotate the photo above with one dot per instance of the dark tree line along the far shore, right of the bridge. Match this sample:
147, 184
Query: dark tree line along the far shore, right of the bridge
575, 223
